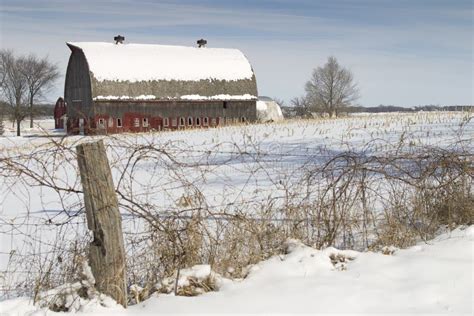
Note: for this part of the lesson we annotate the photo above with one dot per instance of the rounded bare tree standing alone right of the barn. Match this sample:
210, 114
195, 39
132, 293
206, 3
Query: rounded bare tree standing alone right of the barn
331, 88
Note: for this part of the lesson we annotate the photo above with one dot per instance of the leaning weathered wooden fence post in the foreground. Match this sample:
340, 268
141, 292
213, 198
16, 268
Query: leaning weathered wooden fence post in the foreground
106, 252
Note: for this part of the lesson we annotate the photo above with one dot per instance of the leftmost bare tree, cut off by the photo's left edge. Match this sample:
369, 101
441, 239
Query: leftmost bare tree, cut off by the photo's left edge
14, 86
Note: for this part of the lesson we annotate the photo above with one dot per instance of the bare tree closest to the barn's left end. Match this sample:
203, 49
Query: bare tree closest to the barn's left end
40, 75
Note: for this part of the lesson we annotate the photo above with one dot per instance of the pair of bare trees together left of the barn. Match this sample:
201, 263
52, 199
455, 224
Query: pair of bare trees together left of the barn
24, 81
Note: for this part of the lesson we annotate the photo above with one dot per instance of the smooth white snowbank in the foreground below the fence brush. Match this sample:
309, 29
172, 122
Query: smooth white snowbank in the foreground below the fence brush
429, 278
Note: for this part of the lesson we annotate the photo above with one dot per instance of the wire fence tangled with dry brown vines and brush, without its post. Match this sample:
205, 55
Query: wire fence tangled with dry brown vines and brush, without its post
230, 204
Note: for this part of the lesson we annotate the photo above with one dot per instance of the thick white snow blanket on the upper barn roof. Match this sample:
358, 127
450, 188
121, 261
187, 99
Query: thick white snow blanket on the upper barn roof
146, 62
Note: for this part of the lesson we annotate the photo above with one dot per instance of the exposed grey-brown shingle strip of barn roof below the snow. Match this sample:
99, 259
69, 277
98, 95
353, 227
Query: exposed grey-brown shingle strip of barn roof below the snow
173, 88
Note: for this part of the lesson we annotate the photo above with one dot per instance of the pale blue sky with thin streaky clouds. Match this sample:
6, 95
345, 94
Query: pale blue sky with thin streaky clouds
404, 52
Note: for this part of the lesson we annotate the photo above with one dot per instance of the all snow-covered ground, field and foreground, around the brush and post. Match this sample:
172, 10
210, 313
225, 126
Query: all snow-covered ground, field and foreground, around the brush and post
237, 169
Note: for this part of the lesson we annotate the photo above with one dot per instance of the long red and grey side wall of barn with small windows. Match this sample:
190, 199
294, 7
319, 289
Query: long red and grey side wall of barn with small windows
156, 113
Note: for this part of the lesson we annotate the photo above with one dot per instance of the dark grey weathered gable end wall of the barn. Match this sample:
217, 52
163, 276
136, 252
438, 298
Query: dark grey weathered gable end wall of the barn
77, 89
